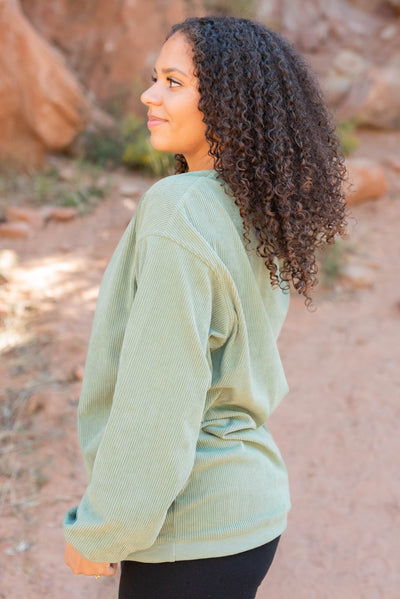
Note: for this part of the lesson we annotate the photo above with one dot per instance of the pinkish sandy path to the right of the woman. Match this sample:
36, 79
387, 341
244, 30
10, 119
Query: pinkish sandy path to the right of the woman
338, 430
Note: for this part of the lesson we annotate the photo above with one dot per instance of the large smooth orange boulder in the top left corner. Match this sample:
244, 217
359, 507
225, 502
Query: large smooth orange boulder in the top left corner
42, 105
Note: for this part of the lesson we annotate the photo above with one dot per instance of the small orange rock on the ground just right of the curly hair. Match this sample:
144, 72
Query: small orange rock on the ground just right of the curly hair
367, 180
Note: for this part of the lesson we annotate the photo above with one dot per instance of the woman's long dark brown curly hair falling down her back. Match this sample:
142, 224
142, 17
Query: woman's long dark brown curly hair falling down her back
272, 140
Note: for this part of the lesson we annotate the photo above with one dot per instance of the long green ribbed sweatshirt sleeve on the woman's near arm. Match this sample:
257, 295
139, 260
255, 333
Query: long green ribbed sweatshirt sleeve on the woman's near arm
147, 449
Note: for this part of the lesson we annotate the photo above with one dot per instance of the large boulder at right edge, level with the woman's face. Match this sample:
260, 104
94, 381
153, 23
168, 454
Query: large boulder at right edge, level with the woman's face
374, 98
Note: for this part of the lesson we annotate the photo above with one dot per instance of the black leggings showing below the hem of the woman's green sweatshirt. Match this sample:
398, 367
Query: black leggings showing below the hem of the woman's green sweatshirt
230, 577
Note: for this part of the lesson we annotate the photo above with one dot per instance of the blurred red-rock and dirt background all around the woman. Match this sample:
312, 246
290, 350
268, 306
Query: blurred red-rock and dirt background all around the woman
74, 161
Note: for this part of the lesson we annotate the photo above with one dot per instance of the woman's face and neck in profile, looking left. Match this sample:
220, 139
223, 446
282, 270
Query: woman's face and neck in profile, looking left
175, 122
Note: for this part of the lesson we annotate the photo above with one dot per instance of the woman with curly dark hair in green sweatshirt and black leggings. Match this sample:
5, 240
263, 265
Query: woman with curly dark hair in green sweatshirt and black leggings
186, 486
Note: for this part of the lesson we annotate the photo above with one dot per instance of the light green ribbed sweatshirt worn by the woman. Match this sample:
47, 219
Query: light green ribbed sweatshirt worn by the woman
181, 375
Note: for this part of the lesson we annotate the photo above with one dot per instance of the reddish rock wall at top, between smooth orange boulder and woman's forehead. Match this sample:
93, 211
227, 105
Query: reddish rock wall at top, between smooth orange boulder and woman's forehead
107, 43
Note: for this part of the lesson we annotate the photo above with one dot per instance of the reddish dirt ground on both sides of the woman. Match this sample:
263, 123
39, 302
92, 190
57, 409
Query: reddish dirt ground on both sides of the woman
337, 428
